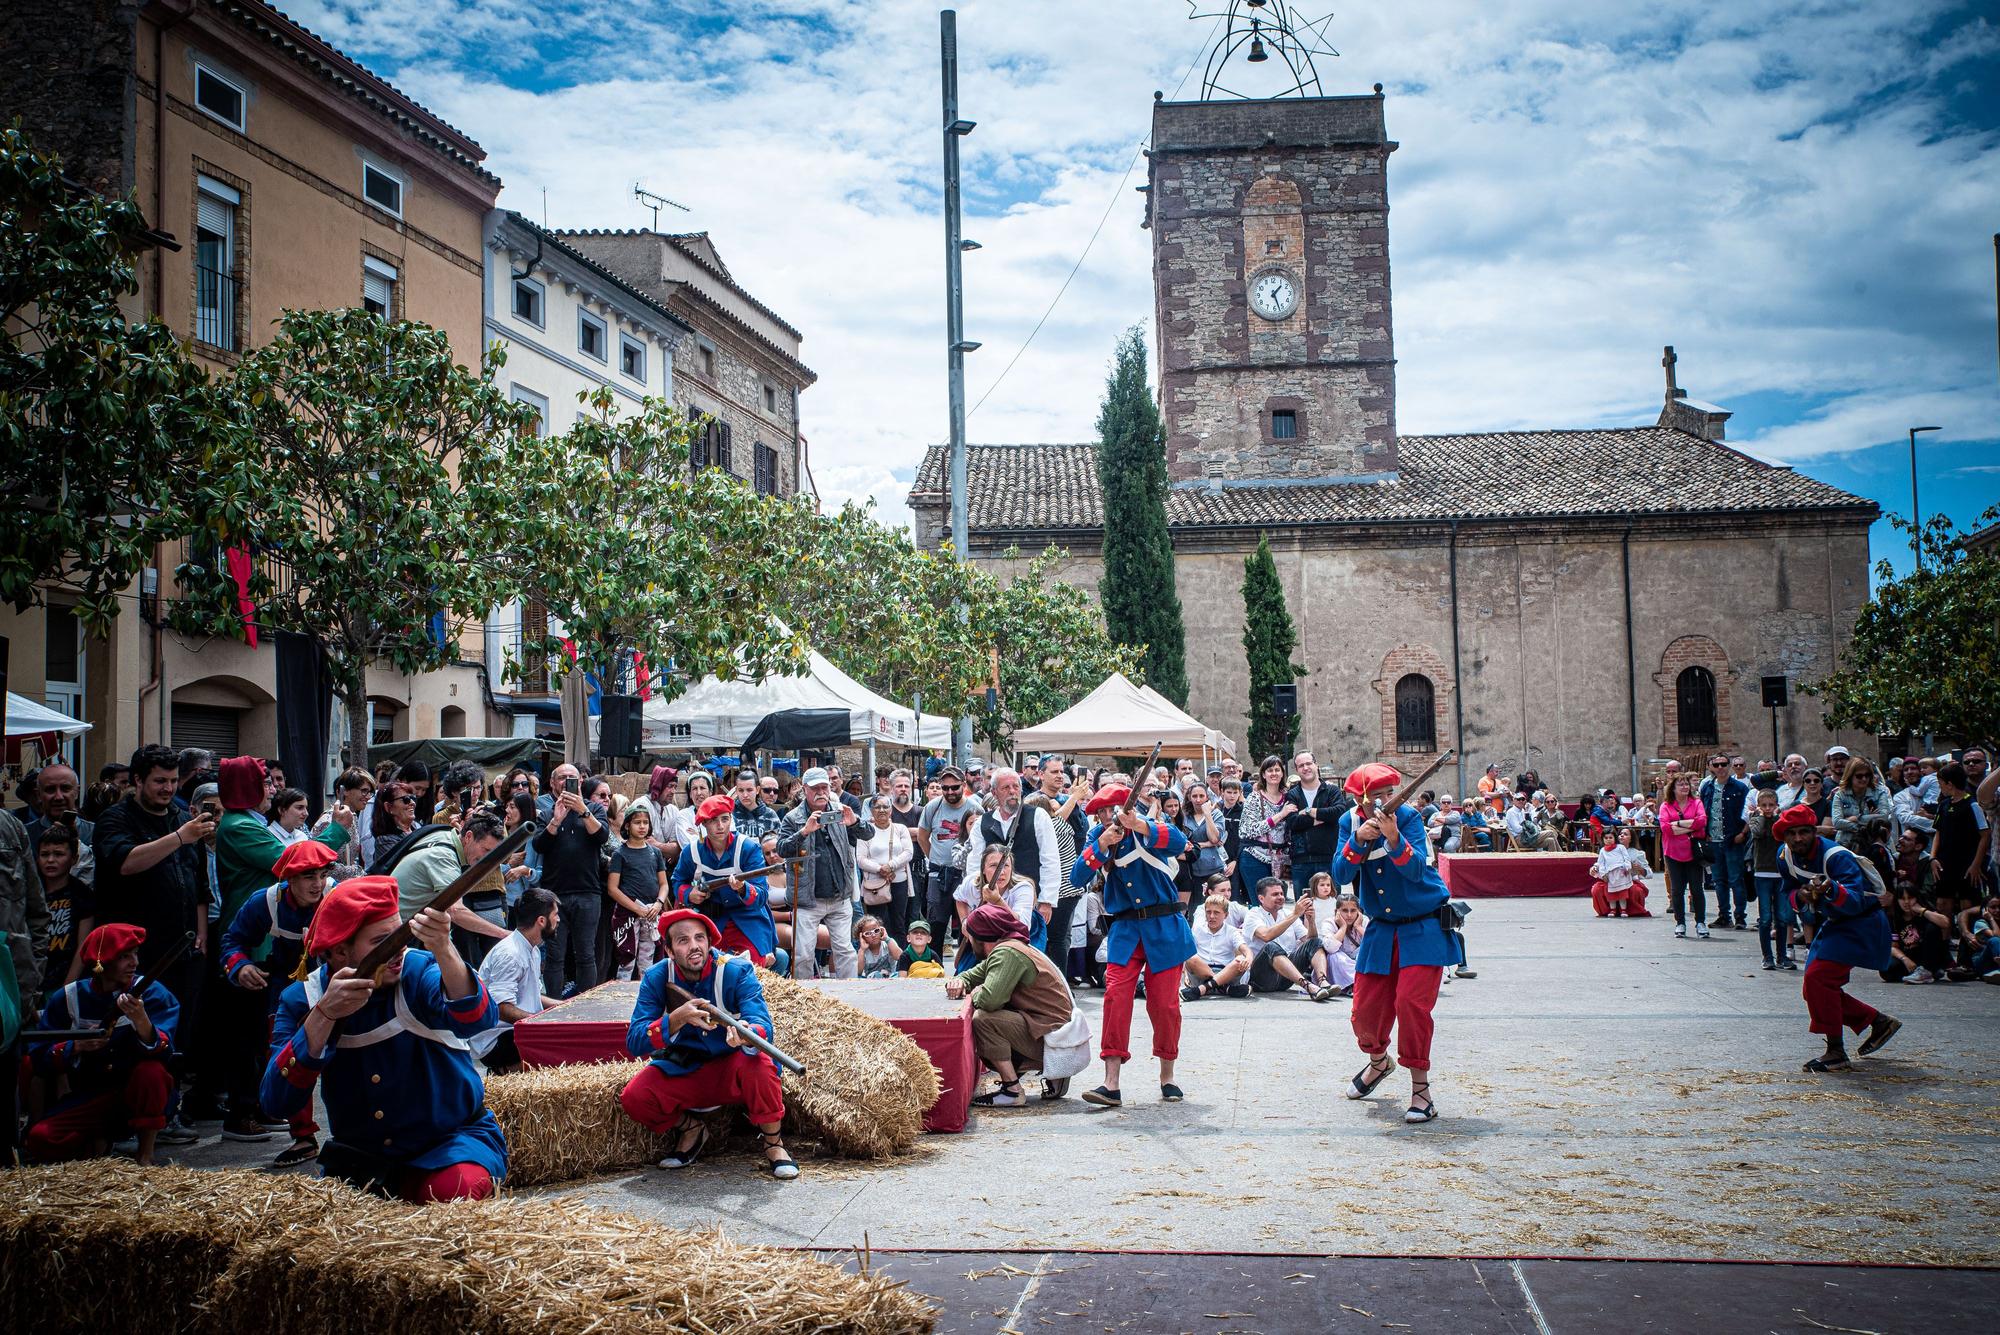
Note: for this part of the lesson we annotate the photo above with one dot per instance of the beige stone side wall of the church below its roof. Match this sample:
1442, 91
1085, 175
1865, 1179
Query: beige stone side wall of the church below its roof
1543, 639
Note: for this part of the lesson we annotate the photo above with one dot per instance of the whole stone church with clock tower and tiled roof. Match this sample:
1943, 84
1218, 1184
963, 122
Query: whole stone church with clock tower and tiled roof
1581, 603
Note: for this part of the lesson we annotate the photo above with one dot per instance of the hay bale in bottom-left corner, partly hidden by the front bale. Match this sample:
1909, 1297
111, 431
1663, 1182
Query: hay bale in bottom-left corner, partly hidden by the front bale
107, 1244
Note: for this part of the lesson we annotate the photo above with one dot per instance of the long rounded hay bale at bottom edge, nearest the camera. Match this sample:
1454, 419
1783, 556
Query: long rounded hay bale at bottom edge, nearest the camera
511, 1268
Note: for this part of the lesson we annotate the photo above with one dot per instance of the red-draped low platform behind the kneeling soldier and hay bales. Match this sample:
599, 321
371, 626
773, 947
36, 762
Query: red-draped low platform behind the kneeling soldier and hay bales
591, 1028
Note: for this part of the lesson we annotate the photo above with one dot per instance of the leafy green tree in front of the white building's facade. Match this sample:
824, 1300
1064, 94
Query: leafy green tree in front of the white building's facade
631, 551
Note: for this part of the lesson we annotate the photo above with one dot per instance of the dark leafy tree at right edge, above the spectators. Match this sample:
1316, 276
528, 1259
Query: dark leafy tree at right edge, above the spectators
1925, 657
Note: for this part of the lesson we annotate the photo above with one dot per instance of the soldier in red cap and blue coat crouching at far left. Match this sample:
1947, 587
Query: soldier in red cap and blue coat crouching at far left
121, 1082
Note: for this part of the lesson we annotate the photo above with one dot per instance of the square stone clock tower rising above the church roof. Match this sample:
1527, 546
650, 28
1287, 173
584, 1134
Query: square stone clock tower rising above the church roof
1271, 289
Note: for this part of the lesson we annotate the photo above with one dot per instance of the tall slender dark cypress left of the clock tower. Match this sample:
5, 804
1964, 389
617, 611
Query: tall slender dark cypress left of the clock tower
1141, 605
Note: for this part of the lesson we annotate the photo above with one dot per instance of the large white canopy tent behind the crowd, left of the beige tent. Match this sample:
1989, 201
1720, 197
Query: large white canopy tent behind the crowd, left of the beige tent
723, 714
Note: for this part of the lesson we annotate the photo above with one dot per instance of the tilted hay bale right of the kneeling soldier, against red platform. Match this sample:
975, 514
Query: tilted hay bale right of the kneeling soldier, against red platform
867, 1084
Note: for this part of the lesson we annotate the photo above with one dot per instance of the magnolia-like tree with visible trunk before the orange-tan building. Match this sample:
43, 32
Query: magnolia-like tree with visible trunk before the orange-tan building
367, 535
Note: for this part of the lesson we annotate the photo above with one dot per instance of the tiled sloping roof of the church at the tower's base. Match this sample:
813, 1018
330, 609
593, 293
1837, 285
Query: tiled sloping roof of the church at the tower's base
1645, 471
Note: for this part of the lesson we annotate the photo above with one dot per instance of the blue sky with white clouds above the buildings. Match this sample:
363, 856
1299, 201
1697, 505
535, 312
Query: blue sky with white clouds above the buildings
1799, 195
